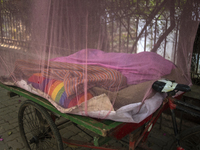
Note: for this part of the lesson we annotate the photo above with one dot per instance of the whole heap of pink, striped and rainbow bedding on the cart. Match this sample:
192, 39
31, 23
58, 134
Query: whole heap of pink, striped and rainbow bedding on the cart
103, 86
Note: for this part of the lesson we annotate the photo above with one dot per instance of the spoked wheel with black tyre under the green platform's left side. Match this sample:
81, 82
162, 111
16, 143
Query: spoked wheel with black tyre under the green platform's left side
37, 129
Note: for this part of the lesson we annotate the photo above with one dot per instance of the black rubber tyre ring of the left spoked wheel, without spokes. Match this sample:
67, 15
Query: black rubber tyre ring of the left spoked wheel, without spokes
49, 120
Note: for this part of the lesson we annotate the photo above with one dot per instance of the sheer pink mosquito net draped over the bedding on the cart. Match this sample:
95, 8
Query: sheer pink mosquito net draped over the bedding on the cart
97, 58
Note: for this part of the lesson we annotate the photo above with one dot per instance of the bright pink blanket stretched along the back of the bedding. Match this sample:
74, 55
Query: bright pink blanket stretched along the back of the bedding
137, 68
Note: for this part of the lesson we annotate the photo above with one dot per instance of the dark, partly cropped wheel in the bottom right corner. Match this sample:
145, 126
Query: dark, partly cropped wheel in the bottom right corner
189, 140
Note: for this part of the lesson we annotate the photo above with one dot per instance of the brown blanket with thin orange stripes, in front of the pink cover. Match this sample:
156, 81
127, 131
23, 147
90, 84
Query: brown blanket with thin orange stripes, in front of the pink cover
72, 75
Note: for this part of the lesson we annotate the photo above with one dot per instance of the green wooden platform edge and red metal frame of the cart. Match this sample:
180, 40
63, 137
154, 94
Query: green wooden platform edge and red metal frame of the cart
107, 129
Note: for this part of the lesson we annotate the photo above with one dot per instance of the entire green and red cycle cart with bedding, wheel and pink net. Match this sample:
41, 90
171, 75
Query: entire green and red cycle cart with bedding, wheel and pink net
109, 66
